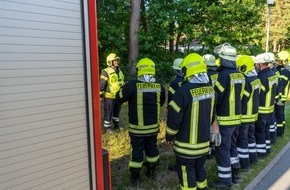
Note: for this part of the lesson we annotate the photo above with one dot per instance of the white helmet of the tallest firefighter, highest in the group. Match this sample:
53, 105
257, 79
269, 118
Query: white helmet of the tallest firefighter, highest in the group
226, 51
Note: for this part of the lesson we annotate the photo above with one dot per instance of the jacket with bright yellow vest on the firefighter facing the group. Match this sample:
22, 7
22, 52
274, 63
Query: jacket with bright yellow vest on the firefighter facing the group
110, 82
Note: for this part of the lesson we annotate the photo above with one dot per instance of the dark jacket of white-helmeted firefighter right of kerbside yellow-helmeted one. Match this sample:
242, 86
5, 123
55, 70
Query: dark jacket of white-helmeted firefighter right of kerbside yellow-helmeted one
269, 83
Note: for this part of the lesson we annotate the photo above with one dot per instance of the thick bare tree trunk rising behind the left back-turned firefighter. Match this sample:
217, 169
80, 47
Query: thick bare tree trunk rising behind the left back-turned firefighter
134, 30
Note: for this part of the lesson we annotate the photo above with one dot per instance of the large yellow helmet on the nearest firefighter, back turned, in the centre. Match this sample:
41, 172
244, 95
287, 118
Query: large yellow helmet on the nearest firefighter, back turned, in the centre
193, 64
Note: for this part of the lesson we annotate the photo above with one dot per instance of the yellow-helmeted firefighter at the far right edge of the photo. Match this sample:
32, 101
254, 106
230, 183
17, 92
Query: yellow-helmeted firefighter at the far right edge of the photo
283, 84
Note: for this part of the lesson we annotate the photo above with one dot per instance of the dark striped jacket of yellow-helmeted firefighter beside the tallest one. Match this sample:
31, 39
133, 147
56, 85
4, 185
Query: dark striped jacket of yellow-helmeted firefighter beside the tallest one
250, 100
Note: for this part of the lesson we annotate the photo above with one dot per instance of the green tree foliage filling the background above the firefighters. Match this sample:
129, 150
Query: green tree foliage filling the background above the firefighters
185, 23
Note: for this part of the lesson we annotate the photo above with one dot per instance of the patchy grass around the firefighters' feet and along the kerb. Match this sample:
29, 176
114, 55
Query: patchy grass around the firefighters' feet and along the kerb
118, 145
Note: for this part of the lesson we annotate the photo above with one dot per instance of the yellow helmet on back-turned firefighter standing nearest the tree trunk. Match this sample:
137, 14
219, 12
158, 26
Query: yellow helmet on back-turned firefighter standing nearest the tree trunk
145, 67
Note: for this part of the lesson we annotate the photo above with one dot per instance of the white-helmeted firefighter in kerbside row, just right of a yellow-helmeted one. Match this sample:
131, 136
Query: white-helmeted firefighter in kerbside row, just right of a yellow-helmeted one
266, 106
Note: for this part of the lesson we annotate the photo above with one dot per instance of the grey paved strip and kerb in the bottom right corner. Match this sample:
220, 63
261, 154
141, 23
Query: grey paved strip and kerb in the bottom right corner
276, 176
